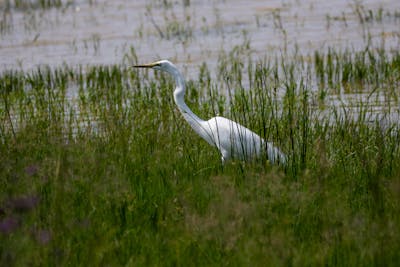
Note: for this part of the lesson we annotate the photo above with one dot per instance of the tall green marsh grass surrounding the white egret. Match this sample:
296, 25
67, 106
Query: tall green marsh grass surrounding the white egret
97, 167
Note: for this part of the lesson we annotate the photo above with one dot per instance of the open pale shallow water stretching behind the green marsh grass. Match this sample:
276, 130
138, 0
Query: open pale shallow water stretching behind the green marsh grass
105, 31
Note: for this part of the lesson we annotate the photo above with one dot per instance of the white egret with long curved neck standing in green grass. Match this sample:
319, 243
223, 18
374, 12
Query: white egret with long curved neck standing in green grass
232, 139
